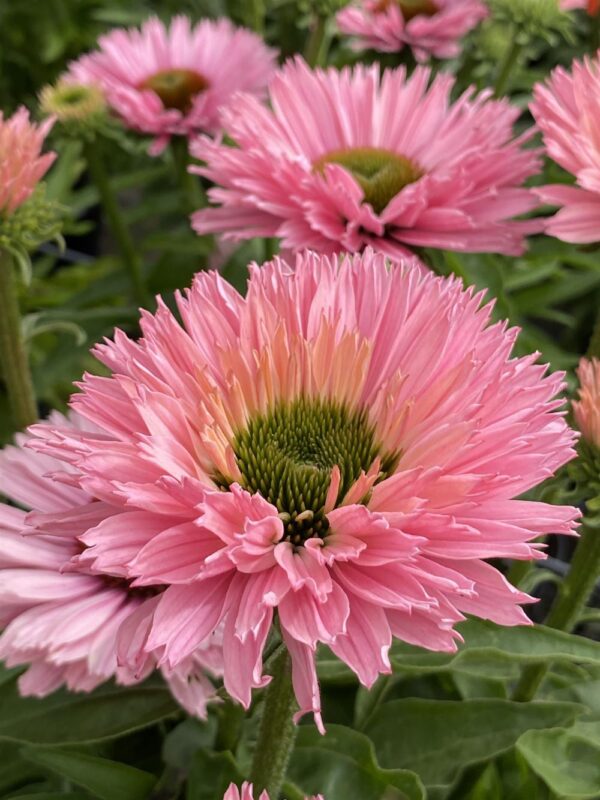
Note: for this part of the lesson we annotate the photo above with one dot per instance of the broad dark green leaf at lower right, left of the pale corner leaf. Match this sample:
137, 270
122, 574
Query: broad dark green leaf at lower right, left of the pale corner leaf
437, 738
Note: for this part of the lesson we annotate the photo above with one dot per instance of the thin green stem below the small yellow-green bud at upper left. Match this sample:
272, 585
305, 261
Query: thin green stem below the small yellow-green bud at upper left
119, 229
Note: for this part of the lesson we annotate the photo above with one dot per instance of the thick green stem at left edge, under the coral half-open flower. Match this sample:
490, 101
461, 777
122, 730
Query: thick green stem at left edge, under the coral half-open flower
13, 354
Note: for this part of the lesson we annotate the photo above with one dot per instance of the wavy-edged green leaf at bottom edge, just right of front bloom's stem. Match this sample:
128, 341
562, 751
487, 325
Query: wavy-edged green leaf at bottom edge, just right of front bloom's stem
342, 764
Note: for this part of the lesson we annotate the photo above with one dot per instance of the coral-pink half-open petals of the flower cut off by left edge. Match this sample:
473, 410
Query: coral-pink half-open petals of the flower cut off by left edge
22, 164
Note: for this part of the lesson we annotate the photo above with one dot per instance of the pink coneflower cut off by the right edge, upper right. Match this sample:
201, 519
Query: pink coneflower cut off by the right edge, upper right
566, 110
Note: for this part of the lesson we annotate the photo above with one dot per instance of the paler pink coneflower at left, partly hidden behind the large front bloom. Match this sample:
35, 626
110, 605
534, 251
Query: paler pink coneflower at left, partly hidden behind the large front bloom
60, 617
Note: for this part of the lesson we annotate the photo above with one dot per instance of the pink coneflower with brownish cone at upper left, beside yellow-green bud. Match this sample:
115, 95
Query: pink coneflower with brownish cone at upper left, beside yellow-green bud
172, 81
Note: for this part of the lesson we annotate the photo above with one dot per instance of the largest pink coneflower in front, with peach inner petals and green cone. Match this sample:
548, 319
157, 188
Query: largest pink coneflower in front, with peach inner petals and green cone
349, 436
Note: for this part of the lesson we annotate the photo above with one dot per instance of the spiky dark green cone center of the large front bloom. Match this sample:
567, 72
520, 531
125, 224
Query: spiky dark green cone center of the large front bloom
287, 455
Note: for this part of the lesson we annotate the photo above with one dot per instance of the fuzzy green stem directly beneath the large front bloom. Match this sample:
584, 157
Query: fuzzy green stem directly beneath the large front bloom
277, 730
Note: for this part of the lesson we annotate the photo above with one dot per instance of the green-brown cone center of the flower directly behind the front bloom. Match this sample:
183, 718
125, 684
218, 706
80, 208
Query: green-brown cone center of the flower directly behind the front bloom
380, 173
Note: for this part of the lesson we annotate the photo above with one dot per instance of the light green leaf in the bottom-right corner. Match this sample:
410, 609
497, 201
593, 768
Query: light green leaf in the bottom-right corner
568, 761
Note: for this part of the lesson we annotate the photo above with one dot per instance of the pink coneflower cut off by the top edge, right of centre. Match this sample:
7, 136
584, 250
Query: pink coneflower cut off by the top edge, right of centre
428, 27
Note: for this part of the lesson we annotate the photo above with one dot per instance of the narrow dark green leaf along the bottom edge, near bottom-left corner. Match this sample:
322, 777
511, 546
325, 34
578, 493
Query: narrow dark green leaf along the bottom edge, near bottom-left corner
107, 780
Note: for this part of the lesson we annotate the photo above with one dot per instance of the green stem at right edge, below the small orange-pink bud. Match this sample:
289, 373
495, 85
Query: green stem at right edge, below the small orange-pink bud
573, 595
